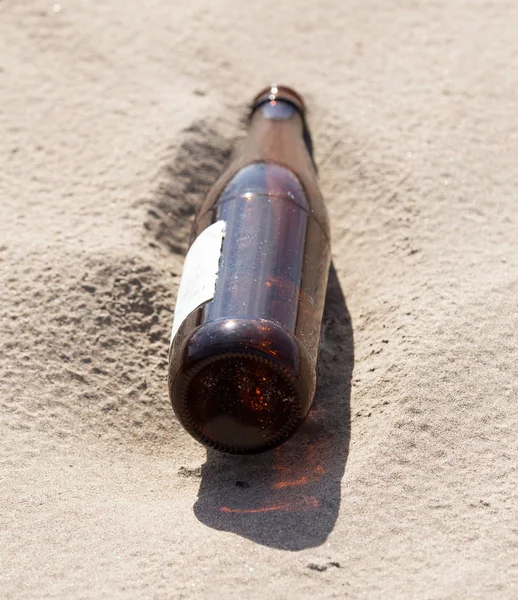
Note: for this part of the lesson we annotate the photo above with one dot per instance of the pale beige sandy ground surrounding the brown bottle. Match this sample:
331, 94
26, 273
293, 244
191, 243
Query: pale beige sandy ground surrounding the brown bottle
115, 118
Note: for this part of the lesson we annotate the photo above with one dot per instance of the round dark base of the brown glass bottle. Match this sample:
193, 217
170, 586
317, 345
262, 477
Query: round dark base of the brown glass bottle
239, 403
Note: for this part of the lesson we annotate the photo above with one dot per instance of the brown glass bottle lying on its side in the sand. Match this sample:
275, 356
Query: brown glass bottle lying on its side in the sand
247, 322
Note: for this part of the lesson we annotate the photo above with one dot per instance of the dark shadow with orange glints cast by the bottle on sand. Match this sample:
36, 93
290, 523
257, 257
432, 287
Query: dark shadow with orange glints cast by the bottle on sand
289, 498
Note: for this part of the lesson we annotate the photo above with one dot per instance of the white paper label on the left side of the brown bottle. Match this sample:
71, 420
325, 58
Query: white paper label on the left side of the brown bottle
200, 273
